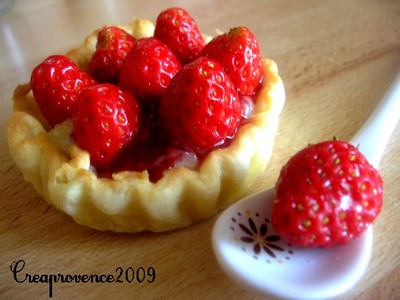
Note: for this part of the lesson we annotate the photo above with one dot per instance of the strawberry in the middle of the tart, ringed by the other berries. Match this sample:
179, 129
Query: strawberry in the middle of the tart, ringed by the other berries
149, 68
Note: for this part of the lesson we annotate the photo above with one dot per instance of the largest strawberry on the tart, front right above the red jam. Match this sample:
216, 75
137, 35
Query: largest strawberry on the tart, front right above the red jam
201, 108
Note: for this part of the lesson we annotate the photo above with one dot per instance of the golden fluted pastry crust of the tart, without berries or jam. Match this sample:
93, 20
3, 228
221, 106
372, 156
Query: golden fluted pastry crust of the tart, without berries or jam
129, 202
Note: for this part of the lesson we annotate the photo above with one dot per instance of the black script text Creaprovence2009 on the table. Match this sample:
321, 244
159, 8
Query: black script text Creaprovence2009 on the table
121, 275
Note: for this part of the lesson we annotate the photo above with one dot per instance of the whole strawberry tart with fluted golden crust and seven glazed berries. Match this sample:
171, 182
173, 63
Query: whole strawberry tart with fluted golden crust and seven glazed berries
148, 126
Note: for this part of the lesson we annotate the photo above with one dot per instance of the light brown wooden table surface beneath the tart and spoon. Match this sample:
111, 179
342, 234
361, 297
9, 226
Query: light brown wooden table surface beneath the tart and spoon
337, 58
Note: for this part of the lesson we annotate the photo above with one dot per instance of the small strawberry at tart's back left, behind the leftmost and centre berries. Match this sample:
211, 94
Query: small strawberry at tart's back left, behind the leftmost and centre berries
113, 45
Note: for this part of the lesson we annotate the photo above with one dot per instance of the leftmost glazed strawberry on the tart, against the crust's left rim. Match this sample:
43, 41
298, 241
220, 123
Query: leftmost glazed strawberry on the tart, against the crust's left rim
56, 83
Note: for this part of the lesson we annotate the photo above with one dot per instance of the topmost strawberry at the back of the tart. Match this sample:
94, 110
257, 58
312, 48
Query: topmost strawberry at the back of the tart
179, 31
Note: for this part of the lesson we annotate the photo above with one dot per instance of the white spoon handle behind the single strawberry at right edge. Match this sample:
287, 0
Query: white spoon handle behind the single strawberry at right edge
376, 131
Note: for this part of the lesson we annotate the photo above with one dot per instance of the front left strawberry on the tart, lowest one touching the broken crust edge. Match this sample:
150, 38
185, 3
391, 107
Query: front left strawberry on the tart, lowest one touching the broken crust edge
106, 121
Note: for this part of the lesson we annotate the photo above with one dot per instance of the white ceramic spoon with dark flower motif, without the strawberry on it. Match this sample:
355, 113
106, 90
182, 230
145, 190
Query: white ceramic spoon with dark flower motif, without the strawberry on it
249, 250
